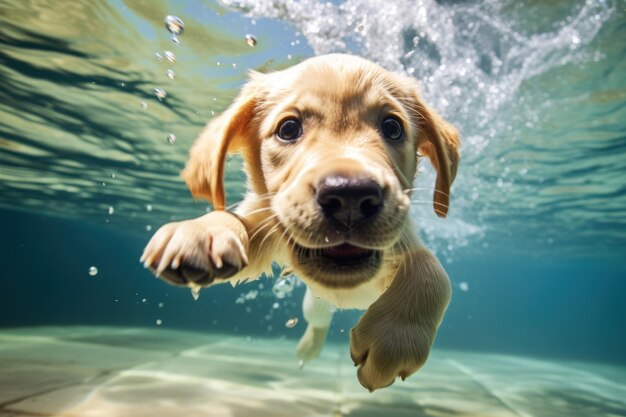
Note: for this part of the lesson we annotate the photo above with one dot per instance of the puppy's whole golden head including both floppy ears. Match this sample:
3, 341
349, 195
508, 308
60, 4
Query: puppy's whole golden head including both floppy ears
332, 144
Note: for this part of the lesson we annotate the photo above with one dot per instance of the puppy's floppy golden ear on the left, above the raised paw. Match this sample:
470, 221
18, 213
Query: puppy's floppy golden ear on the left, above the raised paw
230, 132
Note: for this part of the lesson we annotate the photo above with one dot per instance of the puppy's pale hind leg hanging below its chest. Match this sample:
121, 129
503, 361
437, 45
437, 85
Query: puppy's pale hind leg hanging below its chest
318, 313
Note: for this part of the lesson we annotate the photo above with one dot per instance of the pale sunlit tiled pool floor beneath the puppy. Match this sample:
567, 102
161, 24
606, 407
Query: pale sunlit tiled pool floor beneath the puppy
110, 372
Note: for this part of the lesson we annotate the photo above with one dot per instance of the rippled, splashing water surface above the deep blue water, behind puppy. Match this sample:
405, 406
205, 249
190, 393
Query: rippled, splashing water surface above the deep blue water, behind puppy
537, 89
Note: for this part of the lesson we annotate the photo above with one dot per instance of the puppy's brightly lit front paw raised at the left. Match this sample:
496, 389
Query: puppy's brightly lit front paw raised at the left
194, 252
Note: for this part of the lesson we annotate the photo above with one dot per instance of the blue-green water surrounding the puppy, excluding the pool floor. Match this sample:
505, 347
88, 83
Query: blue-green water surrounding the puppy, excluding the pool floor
536, 236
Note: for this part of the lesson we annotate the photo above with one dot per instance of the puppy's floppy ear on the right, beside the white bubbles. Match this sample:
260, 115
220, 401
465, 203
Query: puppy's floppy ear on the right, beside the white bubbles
442, 148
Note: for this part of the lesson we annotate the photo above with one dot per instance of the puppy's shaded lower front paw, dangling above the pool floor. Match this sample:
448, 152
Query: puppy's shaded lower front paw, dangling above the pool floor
385, 346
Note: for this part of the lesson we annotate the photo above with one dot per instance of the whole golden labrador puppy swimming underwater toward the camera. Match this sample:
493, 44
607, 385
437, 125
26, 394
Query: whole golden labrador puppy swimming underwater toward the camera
331, 147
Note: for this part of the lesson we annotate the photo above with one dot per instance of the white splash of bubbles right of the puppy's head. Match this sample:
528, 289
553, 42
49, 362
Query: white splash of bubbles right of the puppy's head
480, 56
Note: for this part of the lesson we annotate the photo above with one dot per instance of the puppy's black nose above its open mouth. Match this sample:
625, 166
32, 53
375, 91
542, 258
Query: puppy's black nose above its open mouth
349, 200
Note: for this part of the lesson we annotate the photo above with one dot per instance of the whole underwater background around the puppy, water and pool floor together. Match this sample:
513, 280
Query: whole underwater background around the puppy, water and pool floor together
100, 104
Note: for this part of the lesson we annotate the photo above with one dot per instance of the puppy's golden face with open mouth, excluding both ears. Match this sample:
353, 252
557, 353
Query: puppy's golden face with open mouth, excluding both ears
339, 151
